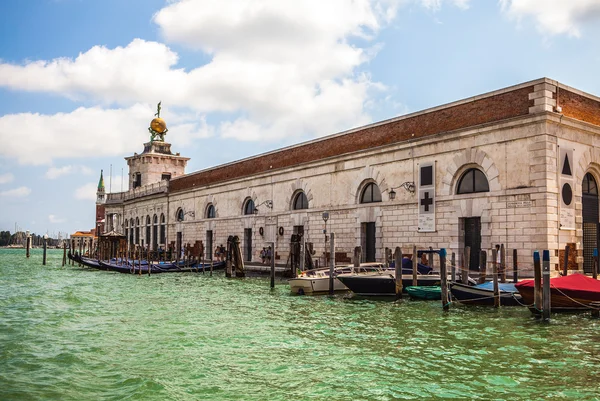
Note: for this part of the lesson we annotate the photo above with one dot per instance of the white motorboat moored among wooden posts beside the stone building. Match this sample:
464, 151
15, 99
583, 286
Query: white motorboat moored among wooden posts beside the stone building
316, 281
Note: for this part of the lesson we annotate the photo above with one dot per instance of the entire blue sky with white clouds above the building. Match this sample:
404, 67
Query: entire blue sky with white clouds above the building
80, 79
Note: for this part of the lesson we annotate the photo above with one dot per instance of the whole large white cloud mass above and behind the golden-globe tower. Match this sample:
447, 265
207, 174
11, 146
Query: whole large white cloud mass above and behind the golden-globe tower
284, 69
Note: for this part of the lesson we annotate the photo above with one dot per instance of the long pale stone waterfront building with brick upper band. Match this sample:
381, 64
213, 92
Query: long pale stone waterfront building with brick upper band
513, 136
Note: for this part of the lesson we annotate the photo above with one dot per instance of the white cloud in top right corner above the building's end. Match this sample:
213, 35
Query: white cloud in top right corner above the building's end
555, 17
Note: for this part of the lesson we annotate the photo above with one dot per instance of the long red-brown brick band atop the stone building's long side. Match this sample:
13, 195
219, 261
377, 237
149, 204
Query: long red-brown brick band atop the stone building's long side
480, 111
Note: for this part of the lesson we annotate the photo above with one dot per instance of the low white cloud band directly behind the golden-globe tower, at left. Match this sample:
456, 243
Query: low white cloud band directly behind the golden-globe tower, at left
83, 133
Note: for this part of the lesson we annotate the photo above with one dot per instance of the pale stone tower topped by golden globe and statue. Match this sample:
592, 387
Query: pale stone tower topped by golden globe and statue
156, 163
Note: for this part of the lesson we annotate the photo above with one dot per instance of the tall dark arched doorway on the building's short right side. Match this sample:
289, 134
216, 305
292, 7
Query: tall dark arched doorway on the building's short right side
589, 200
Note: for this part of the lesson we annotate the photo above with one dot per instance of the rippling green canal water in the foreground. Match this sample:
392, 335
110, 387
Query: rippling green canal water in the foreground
79, 334
